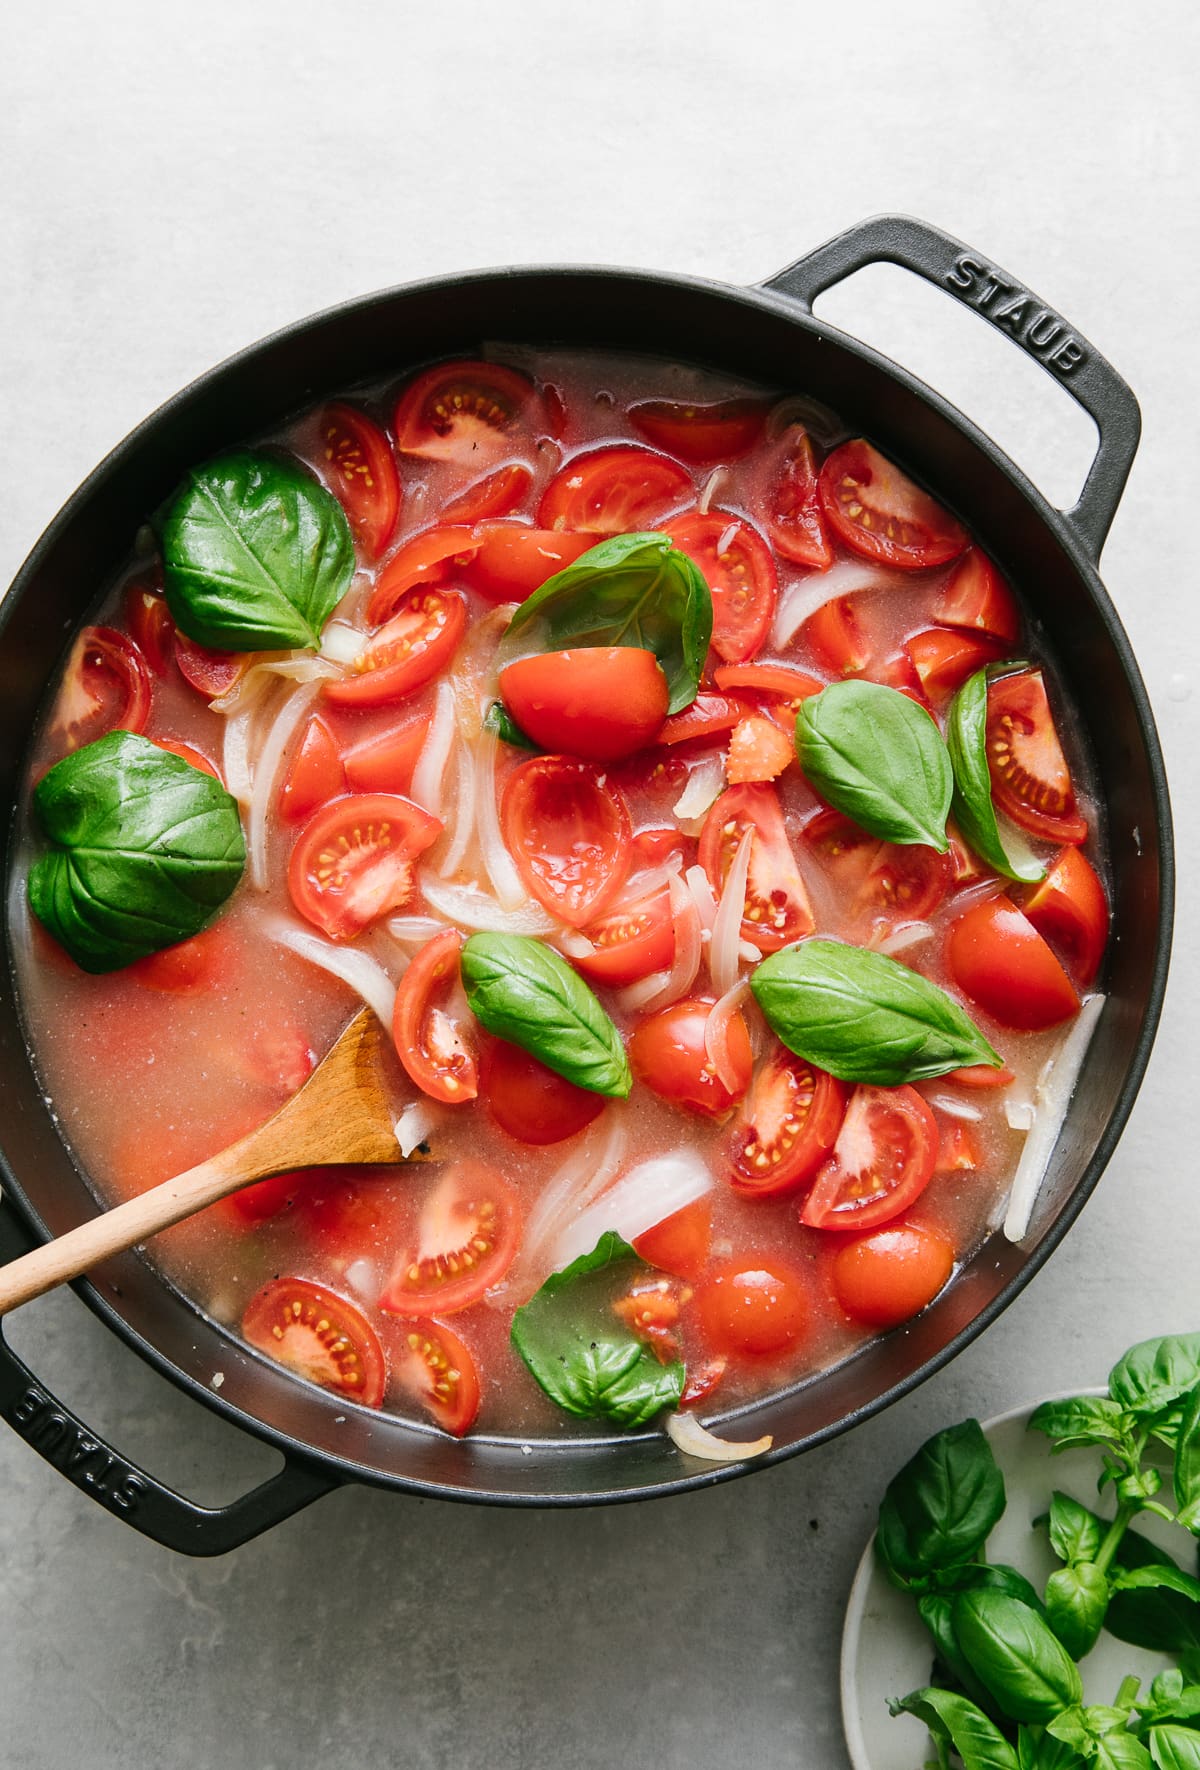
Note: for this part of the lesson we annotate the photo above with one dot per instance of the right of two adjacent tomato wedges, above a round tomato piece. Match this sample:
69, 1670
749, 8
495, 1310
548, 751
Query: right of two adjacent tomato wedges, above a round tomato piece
882, 1162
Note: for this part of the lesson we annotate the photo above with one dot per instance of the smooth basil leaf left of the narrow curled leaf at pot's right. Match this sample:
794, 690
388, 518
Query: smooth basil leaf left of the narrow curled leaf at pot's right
881, 758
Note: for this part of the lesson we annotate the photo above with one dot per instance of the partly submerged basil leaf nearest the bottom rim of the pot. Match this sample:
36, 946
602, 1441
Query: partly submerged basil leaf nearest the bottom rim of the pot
583, 1355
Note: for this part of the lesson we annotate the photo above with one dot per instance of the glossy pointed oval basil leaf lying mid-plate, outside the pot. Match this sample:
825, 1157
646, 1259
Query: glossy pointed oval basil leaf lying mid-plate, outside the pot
1017, 1656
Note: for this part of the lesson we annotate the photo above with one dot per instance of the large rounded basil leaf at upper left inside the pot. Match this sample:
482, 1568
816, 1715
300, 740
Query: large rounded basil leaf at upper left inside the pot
256, 555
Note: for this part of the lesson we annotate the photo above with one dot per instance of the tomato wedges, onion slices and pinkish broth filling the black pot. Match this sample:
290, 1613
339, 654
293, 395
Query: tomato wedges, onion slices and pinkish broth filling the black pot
465, 496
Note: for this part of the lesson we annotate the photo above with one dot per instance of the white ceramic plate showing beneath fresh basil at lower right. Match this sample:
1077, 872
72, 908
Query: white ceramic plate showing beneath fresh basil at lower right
886, 1649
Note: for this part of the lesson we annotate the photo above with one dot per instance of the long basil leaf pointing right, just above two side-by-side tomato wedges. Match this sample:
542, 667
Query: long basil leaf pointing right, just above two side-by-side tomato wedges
865, 1017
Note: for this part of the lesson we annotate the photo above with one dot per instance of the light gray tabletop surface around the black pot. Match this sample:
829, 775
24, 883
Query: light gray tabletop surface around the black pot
178, 183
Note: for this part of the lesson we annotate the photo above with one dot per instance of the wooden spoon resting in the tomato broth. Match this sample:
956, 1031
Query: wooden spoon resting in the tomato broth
341, 1114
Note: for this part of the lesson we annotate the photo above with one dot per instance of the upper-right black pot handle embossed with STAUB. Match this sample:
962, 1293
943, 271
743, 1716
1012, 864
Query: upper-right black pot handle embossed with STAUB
1019, 314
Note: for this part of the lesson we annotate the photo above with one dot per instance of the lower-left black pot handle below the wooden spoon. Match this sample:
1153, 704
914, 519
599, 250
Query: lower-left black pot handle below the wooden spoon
128, 1491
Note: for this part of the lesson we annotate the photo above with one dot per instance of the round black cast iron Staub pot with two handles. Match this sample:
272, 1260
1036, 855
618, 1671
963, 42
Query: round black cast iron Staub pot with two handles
769, 335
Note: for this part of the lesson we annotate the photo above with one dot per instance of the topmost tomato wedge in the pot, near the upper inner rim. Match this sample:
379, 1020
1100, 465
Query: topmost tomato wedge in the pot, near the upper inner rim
466, 412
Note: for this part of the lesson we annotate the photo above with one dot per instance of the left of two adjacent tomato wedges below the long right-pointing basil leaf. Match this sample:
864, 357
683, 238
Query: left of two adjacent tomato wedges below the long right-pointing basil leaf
787, 1128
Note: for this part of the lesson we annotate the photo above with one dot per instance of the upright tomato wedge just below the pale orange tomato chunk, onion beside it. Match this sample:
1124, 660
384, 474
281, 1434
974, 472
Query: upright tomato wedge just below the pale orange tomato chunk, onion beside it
776, 898
